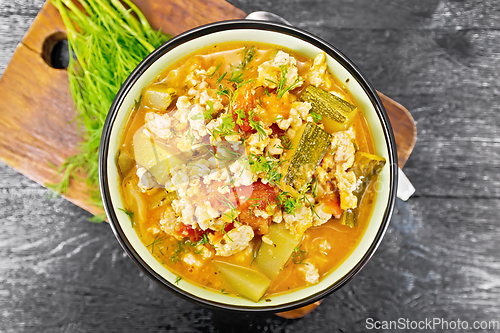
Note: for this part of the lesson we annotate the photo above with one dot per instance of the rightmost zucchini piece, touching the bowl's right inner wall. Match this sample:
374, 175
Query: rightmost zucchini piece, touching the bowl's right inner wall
366, 167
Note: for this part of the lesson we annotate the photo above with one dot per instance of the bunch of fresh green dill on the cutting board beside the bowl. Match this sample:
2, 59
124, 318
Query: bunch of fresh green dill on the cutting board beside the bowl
107, 40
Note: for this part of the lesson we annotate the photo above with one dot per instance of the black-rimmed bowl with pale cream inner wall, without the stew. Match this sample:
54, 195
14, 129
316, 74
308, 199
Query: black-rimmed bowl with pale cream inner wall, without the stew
257, 31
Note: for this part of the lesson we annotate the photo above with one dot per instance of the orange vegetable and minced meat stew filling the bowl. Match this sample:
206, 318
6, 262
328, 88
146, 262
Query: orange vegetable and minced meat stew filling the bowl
248, 169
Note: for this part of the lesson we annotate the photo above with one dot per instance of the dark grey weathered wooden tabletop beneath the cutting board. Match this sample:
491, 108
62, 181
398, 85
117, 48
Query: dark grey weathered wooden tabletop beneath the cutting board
439, 258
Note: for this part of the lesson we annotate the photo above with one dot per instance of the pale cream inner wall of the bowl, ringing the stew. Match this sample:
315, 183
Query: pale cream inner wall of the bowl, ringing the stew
264, 37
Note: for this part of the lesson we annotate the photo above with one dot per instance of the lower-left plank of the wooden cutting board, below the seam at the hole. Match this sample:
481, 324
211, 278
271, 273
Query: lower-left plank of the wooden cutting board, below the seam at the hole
37, 131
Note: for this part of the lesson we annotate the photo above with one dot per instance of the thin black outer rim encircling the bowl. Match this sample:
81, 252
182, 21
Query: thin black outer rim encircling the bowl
252, 25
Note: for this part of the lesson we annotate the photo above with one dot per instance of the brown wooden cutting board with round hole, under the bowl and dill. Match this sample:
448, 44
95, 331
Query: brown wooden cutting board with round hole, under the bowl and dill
36, 108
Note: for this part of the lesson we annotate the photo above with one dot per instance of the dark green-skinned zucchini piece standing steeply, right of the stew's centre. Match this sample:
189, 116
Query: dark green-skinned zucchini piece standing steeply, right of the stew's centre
309, 147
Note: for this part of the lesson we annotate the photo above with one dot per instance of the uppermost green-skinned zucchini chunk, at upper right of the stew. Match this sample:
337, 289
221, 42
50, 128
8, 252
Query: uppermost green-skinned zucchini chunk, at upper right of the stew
336, 113
